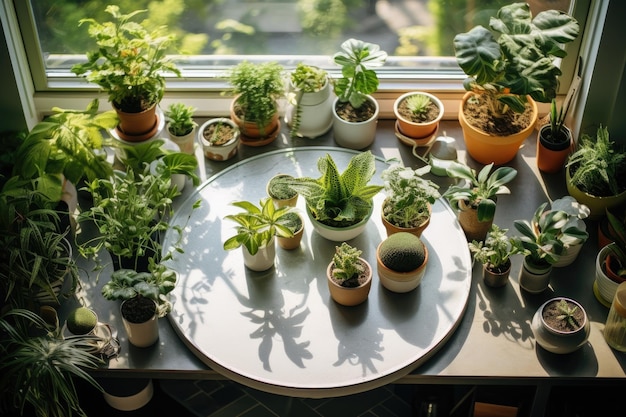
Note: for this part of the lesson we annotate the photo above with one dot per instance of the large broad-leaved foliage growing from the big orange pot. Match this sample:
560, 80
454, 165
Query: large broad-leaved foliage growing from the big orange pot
515, 56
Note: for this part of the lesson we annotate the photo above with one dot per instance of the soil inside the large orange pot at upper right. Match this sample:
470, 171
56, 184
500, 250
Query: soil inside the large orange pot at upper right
481, 117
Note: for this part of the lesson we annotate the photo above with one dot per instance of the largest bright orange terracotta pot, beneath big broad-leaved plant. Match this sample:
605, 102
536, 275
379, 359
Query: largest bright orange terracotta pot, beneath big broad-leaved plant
485, 148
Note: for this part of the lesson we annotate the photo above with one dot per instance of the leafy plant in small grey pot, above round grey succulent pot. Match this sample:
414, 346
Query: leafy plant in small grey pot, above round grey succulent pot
541, 243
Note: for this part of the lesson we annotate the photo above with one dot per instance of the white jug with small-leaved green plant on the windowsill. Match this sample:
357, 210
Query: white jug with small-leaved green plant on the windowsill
310, 113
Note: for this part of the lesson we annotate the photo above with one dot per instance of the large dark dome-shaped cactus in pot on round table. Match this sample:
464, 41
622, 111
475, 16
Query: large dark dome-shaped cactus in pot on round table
402, 252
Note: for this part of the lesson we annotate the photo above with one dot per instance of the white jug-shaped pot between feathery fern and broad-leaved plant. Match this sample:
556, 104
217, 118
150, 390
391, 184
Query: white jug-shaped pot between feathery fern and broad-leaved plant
316, 116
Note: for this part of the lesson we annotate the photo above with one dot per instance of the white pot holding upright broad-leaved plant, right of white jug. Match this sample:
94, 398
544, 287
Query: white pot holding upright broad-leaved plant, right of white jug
355, 135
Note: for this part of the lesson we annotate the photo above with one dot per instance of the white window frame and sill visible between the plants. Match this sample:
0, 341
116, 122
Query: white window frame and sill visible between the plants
203, 87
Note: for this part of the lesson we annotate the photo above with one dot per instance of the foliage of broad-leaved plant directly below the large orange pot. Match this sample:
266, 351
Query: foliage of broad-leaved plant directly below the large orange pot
479, 189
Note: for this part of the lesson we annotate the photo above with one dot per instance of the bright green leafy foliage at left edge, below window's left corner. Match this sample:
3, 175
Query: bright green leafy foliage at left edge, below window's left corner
69, 142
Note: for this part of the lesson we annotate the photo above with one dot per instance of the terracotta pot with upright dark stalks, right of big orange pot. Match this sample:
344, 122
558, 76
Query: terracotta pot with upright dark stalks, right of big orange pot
554, 141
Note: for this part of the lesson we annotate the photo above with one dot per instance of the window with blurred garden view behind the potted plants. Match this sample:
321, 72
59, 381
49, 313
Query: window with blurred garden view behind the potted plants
215, 34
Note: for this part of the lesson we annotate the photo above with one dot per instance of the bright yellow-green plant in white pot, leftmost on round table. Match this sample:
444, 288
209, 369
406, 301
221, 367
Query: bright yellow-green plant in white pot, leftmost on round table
256, 229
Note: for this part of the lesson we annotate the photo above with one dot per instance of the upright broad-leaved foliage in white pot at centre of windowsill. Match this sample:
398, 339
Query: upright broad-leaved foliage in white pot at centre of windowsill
357, 60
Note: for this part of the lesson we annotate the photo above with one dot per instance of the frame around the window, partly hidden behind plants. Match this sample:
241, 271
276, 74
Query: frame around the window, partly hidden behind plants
203, 87
